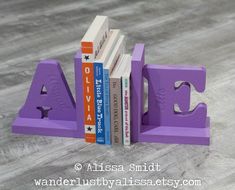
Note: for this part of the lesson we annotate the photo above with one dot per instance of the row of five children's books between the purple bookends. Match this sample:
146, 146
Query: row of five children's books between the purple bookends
106, 70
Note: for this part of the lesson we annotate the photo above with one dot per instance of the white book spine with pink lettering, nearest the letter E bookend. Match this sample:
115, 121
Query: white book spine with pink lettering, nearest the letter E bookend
126, 110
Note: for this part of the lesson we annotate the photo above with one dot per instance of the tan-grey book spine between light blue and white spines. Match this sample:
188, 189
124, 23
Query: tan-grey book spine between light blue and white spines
116, 110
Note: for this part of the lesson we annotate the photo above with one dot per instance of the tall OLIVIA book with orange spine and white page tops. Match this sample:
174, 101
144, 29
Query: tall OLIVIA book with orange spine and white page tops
90, 46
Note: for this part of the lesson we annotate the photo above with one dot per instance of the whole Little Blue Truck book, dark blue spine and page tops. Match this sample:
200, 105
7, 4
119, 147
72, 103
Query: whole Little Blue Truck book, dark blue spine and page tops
101, 59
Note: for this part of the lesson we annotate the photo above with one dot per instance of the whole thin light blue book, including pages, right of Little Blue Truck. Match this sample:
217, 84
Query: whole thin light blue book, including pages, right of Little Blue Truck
116, 54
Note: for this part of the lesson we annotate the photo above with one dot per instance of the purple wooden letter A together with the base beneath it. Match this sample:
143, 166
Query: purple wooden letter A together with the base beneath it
49, 108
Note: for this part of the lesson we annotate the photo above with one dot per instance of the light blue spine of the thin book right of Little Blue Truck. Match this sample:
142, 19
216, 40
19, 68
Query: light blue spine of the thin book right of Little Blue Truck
107, 107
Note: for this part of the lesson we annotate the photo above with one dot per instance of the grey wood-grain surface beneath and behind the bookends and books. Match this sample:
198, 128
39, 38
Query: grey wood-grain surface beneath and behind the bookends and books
192, 32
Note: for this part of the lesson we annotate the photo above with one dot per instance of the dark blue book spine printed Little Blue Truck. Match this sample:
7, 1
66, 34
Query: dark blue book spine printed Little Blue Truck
99, 103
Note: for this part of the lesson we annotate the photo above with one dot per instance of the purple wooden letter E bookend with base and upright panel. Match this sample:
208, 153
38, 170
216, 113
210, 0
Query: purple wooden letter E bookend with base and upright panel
161, 123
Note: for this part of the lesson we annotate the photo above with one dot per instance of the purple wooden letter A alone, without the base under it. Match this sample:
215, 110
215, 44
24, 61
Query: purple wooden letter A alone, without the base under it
57, 97
